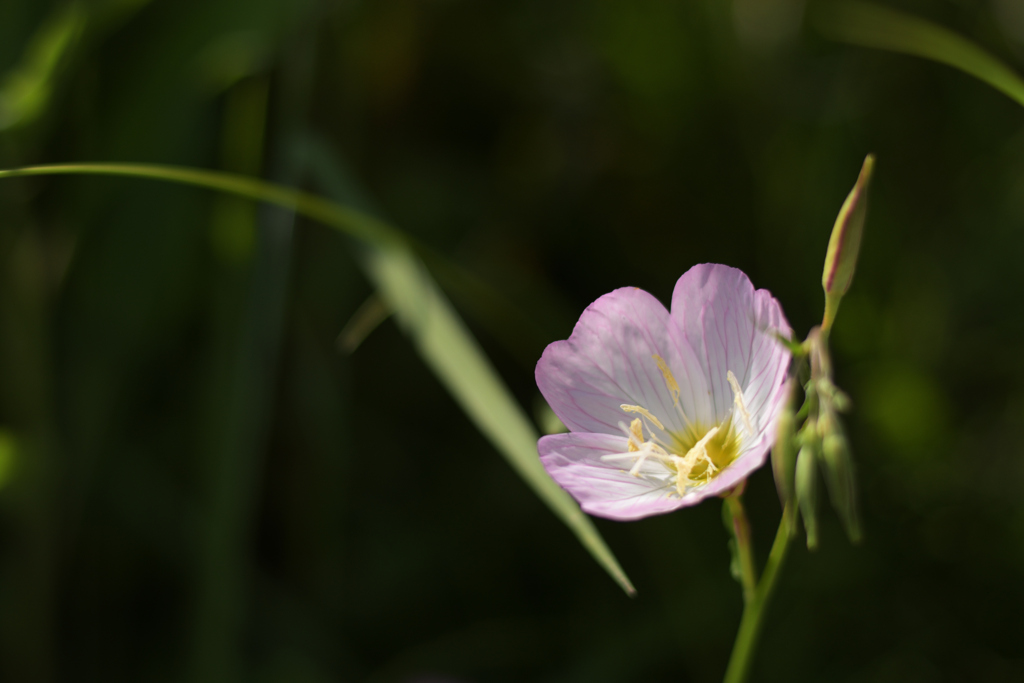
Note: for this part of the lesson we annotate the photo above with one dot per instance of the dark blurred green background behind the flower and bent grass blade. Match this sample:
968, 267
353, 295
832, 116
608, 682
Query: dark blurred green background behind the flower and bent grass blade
196, 485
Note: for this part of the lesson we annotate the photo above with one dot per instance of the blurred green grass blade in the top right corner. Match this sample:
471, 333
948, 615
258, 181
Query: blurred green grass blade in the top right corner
869, 25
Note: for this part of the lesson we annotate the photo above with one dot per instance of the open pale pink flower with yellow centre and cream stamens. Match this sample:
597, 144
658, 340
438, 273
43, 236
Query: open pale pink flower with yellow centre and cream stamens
666, 409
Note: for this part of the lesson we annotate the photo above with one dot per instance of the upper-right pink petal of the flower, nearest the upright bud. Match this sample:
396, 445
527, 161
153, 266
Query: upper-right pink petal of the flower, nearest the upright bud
731, 327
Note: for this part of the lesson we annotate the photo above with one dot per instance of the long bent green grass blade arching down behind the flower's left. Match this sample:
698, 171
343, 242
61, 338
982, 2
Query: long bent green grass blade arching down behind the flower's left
425, 314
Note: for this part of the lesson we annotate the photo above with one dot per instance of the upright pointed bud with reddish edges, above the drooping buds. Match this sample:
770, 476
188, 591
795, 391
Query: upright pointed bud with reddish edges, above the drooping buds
841, 260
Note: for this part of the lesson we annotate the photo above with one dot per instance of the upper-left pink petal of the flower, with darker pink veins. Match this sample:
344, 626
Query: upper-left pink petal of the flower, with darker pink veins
609, 361
